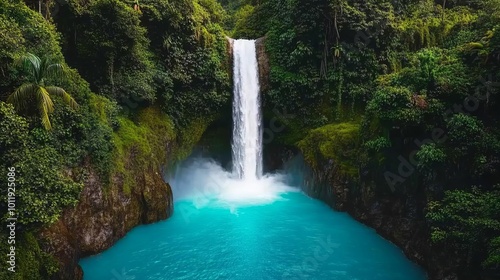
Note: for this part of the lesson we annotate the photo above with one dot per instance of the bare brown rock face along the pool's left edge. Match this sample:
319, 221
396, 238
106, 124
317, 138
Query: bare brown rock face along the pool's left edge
104, 215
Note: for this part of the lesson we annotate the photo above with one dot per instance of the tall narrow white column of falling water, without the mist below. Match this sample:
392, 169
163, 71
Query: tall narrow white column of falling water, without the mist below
247, 131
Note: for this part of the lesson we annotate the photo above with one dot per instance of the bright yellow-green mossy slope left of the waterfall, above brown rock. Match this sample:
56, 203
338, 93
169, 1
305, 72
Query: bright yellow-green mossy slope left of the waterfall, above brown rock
152, 140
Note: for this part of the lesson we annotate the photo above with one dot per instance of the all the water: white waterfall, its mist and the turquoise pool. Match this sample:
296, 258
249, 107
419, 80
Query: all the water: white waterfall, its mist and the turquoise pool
243, 224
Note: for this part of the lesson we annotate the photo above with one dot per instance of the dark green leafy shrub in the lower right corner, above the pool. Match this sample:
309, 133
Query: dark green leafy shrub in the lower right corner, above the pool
467, 220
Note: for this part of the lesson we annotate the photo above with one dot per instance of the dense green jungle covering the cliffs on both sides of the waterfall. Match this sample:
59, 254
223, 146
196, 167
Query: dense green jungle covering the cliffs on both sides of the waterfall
401, 93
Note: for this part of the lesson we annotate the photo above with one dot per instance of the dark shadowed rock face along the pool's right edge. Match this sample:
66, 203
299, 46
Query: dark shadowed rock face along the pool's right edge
397, 217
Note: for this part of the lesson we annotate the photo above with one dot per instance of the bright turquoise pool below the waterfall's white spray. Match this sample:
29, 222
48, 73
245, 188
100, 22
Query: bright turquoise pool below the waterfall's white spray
294, 237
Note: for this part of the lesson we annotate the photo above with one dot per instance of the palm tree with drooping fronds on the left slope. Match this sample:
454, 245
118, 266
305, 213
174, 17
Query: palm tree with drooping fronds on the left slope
35, 92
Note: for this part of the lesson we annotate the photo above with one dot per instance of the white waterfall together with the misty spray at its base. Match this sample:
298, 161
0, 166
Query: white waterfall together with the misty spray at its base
204, 181
